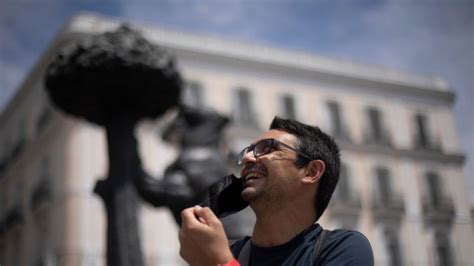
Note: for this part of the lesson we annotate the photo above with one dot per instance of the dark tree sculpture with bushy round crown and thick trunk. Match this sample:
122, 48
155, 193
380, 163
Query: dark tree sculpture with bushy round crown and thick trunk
114, 80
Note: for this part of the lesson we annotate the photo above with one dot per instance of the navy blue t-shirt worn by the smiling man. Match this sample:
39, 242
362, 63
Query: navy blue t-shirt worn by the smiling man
341, 247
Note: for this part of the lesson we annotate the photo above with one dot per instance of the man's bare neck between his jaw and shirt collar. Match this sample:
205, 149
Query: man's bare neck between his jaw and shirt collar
277, 226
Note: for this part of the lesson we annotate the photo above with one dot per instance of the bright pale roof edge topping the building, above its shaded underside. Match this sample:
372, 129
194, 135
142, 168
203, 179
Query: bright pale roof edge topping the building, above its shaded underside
94, 23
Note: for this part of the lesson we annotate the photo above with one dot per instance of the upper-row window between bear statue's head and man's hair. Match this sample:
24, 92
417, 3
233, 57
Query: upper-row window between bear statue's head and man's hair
243, 112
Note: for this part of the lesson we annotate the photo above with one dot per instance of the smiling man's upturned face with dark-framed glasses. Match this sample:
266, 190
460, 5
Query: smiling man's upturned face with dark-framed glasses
271, 177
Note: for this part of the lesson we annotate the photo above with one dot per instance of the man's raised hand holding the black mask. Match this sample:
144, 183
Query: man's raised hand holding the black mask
202, 238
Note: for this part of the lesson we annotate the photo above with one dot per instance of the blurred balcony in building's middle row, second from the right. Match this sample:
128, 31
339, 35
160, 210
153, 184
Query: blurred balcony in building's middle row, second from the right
388, 208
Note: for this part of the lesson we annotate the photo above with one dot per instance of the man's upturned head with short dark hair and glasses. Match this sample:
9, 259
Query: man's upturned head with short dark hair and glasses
295, 148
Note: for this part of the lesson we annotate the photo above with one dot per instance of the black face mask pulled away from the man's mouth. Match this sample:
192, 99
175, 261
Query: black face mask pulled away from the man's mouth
225, 196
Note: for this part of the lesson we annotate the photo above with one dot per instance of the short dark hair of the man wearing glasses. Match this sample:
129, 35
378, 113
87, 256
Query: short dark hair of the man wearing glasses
318, 145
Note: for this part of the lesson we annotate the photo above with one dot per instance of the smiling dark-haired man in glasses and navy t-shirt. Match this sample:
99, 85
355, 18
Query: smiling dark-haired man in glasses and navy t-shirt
289, 174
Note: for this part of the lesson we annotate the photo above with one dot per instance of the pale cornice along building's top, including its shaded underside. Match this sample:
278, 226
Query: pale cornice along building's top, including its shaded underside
302, 64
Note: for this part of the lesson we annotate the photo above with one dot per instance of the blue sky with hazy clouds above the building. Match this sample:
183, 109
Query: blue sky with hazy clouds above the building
425, 36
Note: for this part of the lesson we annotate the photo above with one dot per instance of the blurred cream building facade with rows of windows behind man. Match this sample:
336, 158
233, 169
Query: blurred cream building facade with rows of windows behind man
401, 184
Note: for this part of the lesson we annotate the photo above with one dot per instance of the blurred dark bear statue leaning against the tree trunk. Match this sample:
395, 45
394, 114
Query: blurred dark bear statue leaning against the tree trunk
200, 163
